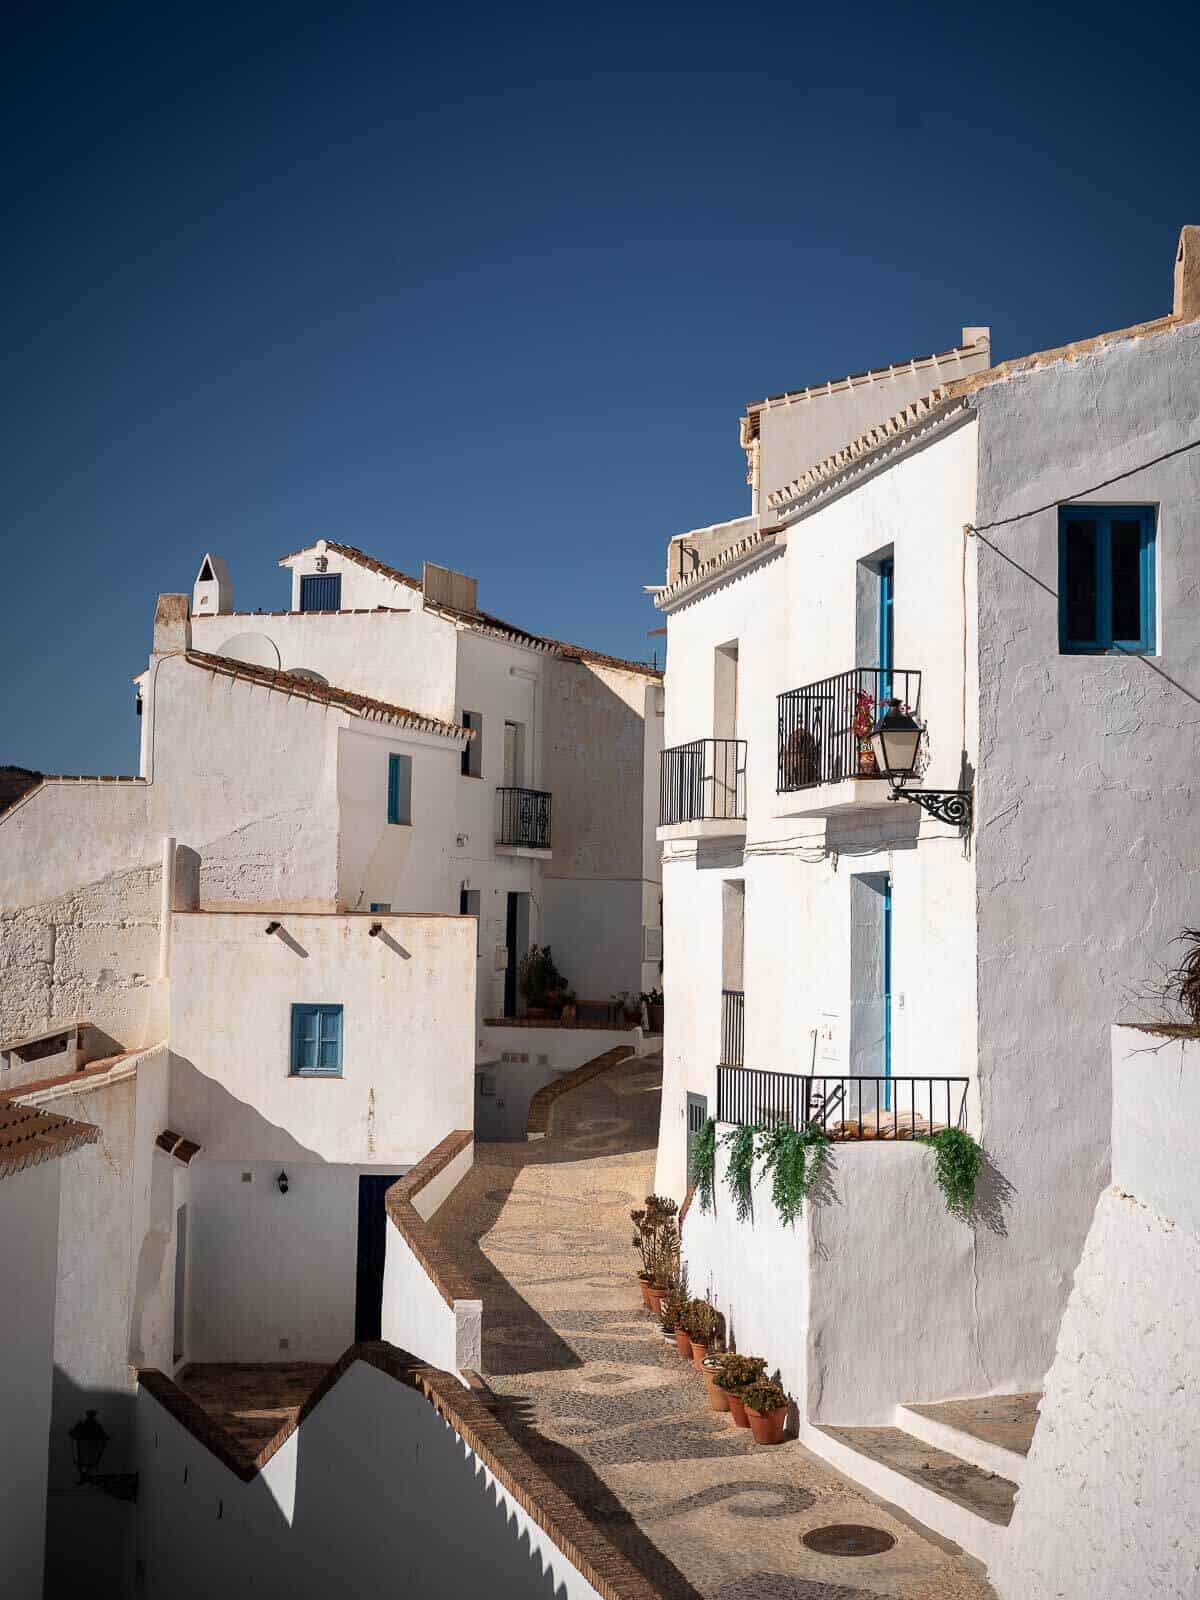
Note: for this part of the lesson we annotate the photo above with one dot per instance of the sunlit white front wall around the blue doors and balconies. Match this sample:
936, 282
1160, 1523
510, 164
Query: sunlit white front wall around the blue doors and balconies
796, 622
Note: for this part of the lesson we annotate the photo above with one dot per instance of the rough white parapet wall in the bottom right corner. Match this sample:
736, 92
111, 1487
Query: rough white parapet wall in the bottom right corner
1110, 1503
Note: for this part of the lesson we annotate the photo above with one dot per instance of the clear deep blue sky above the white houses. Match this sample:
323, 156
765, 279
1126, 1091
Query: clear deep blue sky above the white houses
490, 286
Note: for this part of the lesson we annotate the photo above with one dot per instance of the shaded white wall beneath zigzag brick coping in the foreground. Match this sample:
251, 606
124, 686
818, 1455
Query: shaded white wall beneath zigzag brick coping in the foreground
372, 1495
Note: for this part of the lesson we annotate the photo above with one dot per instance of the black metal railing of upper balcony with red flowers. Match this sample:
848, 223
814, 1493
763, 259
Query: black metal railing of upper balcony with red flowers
822, 726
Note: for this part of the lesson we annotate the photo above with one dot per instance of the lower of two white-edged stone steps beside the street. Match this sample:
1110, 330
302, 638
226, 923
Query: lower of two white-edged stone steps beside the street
953, 1497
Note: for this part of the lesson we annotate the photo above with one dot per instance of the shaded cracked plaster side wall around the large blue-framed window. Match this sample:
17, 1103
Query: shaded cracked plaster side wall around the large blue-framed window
1086, 804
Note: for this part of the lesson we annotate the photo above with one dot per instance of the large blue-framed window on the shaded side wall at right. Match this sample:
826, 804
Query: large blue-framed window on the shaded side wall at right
1106, 580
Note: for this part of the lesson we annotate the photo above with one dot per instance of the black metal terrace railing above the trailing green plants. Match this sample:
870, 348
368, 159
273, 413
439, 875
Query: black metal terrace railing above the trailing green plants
847, 1108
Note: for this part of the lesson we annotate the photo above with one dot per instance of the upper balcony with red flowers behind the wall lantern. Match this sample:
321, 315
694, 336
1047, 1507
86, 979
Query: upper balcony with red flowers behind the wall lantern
826, 764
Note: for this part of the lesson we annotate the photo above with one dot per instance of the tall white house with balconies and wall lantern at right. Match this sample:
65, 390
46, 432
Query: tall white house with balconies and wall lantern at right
1012, 554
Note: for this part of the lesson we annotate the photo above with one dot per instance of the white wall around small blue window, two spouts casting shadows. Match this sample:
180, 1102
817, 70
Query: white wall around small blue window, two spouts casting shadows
407, 1036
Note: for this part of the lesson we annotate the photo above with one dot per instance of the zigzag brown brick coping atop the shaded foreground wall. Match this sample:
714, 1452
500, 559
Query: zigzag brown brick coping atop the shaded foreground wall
586, 1546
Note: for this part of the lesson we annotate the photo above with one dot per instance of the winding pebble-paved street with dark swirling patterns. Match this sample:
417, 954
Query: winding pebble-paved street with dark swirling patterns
582, 1375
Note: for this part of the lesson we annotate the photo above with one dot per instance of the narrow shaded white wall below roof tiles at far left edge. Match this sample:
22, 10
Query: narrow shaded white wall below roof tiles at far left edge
30, 1204
